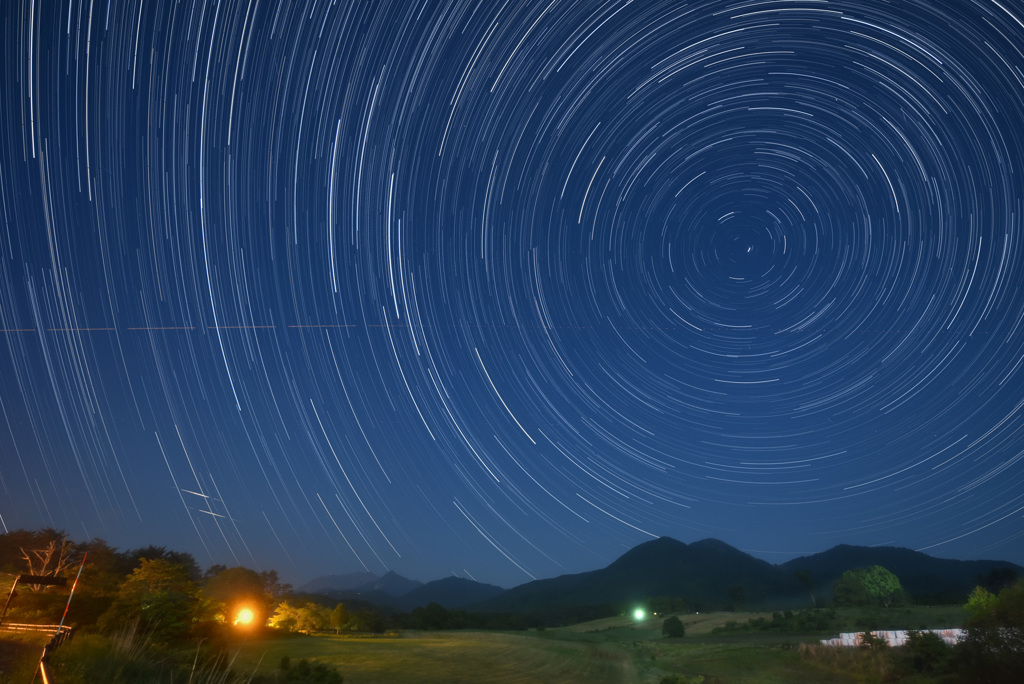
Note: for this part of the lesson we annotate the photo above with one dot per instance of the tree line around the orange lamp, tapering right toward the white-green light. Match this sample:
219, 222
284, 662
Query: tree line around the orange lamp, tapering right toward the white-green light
173, 598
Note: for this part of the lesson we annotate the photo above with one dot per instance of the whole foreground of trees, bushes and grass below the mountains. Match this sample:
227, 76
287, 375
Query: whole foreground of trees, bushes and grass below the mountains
152, 615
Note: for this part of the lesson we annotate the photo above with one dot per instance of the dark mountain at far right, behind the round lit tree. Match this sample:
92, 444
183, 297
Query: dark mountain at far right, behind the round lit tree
920, 574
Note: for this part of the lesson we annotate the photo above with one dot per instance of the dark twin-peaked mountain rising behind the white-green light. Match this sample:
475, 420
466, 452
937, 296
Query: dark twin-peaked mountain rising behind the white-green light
708, 575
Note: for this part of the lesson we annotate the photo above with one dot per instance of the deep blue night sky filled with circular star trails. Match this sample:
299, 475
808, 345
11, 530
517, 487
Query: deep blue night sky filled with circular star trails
504, 289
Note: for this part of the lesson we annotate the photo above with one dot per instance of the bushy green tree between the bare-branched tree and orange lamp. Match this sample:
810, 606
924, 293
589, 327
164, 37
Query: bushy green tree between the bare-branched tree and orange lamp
161, 596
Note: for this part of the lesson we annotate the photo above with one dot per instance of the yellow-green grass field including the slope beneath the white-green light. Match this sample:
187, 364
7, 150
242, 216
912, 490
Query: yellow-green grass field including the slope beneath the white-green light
617, 650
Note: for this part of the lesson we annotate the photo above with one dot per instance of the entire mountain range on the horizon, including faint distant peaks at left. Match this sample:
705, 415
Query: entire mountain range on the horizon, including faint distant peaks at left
708, 574
